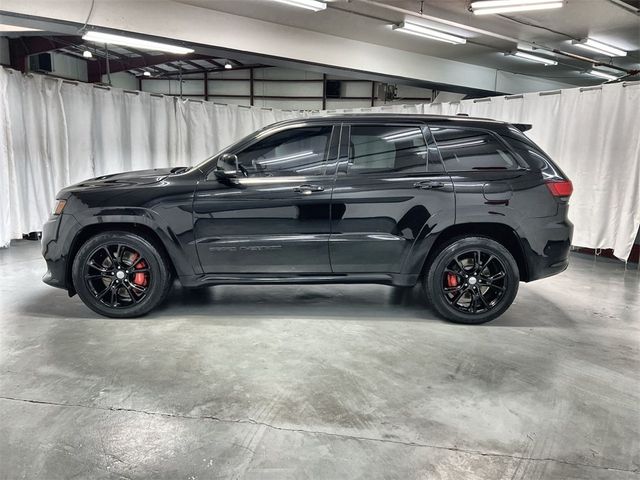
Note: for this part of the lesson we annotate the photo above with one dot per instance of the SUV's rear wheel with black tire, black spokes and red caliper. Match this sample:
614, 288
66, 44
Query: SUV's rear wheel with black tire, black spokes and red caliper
466, 290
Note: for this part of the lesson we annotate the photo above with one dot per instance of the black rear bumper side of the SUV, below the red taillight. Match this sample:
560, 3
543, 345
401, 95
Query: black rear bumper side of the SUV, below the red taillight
547, 249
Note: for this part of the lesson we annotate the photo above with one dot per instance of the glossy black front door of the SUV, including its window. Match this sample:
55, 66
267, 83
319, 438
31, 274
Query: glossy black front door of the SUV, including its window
274, 218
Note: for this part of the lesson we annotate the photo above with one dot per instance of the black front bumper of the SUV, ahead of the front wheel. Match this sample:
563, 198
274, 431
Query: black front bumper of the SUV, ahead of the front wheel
57, 242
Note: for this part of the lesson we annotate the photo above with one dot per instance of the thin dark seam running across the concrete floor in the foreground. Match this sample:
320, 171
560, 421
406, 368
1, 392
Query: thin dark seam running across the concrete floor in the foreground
251, 421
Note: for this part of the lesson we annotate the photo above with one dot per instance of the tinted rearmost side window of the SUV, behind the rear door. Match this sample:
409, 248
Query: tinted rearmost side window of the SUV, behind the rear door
464, 149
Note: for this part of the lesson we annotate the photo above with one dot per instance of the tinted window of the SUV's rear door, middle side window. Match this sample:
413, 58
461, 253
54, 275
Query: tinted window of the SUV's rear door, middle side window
386, 149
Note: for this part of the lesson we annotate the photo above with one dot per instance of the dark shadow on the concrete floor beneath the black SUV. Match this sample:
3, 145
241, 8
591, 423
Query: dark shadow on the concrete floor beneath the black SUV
324, 302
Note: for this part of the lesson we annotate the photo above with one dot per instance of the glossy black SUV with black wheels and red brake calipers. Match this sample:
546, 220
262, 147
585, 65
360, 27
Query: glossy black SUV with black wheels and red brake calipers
470, 207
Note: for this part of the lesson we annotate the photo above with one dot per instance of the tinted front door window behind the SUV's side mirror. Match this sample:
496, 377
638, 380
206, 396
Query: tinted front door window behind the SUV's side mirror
298, 151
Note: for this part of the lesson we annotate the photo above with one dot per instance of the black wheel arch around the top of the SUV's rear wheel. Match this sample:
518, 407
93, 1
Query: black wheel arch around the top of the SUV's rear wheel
500, 232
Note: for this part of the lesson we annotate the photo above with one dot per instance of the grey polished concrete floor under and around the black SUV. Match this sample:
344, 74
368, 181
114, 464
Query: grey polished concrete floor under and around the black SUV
329, 382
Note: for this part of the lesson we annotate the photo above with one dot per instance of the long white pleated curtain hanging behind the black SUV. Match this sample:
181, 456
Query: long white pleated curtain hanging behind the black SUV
54, 133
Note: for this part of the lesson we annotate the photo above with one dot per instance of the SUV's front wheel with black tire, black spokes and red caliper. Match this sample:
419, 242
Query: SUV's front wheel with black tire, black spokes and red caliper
141, 274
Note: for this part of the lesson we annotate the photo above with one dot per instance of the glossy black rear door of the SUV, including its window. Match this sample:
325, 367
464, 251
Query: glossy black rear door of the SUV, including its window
390, 186
